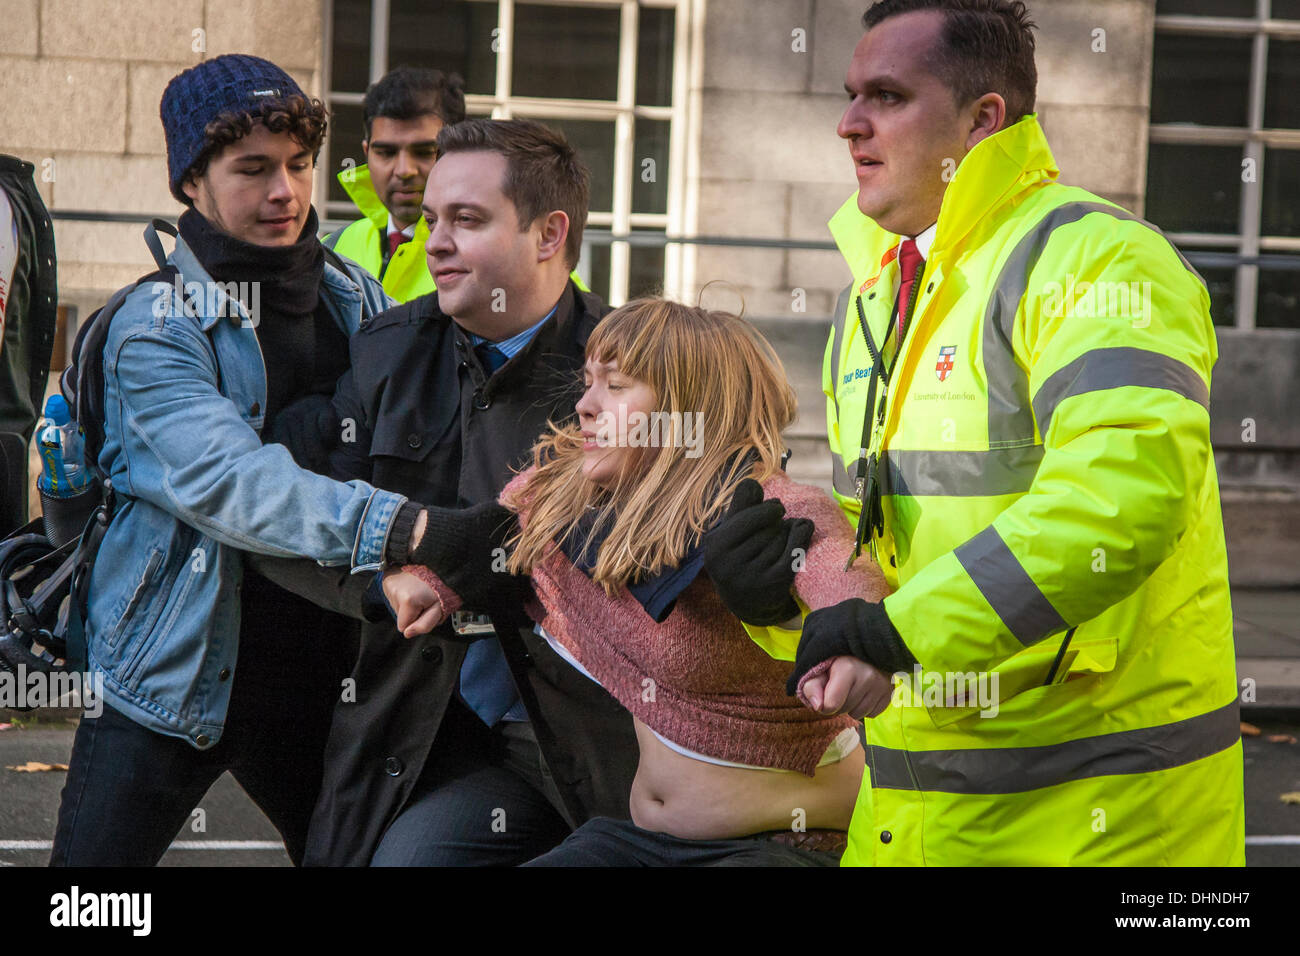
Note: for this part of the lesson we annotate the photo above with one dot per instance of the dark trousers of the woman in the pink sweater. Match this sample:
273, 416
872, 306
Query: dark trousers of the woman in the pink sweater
605, 842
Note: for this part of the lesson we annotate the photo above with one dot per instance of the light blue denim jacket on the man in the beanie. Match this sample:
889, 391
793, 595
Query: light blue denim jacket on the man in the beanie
184, 406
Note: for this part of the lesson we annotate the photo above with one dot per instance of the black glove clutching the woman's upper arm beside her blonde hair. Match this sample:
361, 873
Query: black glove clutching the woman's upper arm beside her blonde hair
749, 557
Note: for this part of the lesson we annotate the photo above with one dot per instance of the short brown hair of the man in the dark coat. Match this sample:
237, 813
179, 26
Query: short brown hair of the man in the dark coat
543, 171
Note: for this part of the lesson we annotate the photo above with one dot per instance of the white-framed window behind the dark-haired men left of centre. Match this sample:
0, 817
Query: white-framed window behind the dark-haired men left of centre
610, 75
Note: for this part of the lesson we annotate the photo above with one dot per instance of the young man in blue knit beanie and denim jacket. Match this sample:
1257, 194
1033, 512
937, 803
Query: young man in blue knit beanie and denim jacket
209, 667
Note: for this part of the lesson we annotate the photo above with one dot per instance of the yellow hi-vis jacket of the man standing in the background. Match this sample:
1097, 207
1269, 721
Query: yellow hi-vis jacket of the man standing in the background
408, 274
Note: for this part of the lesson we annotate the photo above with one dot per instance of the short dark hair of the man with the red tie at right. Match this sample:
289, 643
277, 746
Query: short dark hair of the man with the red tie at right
987, 47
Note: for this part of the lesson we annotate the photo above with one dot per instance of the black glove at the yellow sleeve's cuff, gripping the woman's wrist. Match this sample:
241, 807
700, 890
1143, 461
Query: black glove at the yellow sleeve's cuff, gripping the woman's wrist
853, 628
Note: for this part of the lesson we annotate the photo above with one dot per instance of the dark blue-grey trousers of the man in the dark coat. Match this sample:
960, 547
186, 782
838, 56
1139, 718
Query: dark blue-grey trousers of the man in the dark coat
484, 799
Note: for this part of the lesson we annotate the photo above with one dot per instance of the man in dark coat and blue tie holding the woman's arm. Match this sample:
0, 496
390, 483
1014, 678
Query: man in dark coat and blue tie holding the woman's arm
445, 750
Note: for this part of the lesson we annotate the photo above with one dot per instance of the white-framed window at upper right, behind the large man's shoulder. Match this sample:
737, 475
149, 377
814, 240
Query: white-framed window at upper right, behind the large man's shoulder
1224, 159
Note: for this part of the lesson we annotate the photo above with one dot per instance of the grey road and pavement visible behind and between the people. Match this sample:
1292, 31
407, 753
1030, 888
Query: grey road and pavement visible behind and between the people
235, 833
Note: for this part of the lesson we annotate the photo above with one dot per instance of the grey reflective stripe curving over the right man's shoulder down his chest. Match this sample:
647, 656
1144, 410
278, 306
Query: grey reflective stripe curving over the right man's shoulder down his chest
1009, 413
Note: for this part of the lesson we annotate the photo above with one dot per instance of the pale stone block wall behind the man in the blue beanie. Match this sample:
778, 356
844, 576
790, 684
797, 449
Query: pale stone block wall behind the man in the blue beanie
83, 83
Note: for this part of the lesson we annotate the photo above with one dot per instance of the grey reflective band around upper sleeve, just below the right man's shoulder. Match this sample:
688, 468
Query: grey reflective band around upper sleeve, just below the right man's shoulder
1115, 369
